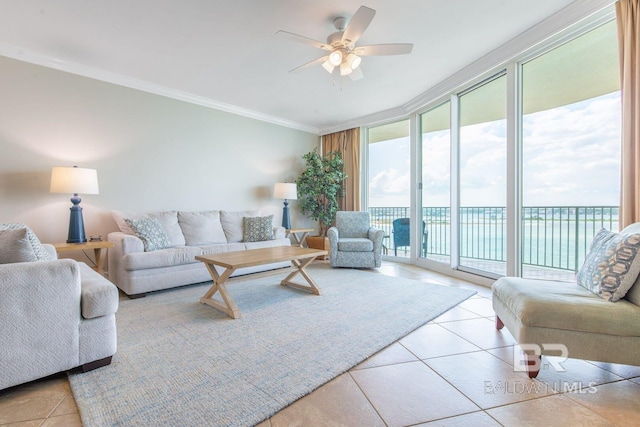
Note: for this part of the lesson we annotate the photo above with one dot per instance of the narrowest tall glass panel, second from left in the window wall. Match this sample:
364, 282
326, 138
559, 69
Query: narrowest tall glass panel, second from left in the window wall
435, 183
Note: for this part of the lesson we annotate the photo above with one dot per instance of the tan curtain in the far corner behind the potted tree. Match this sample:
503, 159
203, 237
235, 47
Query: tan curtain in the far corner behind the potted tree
347, 142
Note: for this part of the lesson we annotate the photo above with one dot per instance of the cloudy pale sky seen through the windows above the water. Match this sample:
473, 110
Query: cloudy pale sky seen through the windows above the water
572, 158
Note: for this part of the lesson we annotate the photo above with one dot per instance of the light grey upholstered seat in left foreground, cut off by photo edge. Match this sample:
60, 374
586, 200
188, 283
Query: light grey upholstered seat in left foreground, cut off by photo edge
56, 315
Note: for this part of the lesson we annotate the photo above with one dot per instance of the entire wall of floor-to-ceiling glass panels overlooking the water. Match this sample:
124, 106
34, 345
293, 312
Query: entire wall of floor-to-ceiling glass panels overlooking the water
532, 151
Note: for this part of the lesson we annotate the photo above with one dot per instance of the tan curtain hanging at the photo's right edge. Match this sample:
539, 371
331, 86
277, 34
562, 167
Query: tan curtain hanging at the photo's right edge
629, 46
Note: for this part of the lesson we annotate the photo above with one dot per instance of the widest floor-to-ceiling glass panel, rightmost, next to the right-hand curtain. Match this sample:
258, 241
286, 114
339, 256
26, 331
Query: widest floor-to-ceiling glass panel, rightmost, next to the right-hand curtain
570, 151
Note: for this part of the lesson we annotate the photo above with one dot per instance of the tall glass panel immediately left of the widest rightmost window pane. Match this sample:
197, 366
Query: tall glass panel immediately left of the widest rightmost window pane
482, 170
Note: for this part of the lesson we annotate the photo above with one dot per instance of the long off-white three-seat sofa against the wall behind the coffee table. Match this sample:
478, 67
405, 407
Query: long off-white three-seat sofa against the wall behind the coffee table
137, 271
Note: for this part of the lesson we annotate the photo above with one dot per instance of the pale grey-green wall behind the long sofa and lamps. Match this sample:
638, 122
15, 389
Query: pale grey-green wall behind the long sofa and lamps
151, 152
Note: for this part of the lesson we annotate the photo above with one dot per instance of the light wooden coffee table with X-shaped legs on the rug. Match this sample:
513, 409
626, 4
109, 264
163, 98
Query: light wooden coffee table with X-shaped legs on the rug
300, 258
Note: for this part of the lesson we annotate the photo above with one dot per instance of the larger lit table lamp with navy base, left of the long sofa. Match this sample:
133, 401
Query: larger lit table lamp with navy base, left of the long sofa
74, 180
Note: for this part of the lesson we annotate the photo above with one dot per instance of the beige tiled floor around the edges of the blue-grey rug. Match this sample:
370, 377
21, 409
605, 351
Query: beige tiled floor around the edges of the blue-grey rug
455, 371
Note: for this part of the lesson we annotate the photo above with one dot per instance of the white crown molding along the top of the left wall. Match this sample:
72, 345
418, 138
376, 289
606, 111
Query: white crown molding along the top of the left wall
25, 55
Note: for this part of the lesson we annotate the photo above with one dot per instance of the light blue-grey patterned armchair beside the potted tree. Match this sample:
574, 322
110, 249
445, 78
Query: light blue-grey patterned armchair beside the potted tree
353, 242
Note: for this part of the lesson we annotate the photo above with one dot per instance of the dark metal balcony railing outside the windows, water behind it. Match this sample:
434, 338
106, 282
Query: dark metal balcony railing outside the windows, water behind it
554, 237
